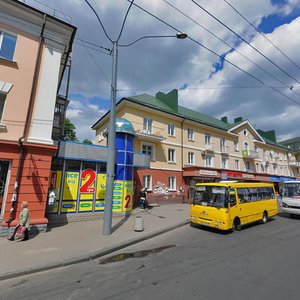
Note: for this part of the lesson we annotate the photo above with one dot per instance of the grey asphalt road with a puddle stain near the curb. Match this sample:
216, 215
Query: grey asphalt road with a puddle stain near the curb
259, 262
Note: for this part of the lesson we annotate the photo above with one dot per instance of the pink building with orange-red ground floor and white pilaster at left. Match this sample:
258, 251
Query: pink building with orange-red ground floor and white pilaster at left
34, 49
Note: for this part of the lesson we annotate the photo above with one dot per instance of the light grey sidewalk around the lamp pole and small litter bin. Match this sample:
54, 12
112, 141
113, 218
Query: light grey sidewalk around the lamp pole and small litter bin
83, 241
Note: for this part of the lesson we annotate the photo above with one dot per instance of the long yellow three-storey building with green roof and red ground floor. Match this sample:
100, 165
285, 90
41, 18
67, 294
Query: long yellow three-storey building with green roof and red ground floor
187, 147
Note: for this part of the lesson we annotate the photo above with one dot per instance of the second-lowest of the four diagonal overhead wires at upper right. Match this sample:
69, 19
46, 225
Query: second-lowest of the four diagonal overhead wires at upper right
230, 46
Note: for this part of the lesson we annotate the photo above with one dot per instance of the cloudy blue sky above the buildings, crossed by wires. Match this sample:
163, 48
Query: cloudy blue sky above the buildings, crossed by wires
205, 81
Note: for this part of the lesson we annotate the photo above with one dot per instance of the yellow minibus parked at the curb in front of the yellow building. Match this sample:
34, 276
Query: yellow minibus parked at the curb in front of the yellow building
229, 206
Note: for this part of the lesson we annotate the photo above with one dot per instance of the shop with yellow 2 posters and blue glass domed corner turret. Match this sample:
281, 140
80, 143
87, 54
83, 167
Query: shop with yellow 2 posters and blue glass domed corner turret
78, 177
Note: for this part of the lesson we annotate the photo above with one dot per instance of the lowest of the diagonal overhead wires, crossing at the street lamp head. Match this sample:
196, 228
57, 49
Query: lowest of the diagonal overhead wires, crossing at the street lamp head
210, 50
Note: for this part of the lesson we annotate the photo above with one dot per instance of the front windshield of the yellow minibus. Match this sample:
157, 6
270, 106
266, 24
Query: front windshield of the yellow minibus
210, 196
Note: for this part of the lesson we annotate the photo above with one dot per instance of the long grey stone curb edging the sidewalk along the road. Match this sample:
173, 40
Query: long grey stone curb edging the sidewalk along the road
91, 256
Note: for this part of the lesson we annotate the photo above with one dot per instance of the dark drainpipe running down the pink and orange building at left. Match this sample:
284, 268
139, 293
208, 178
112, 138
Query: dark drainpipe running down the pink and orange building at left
14, 198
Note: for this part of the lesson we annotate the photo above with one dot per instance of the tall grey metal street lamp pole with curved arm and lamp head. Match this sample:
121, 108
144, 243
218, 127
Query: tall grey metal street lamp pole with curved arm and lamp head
111, 157
